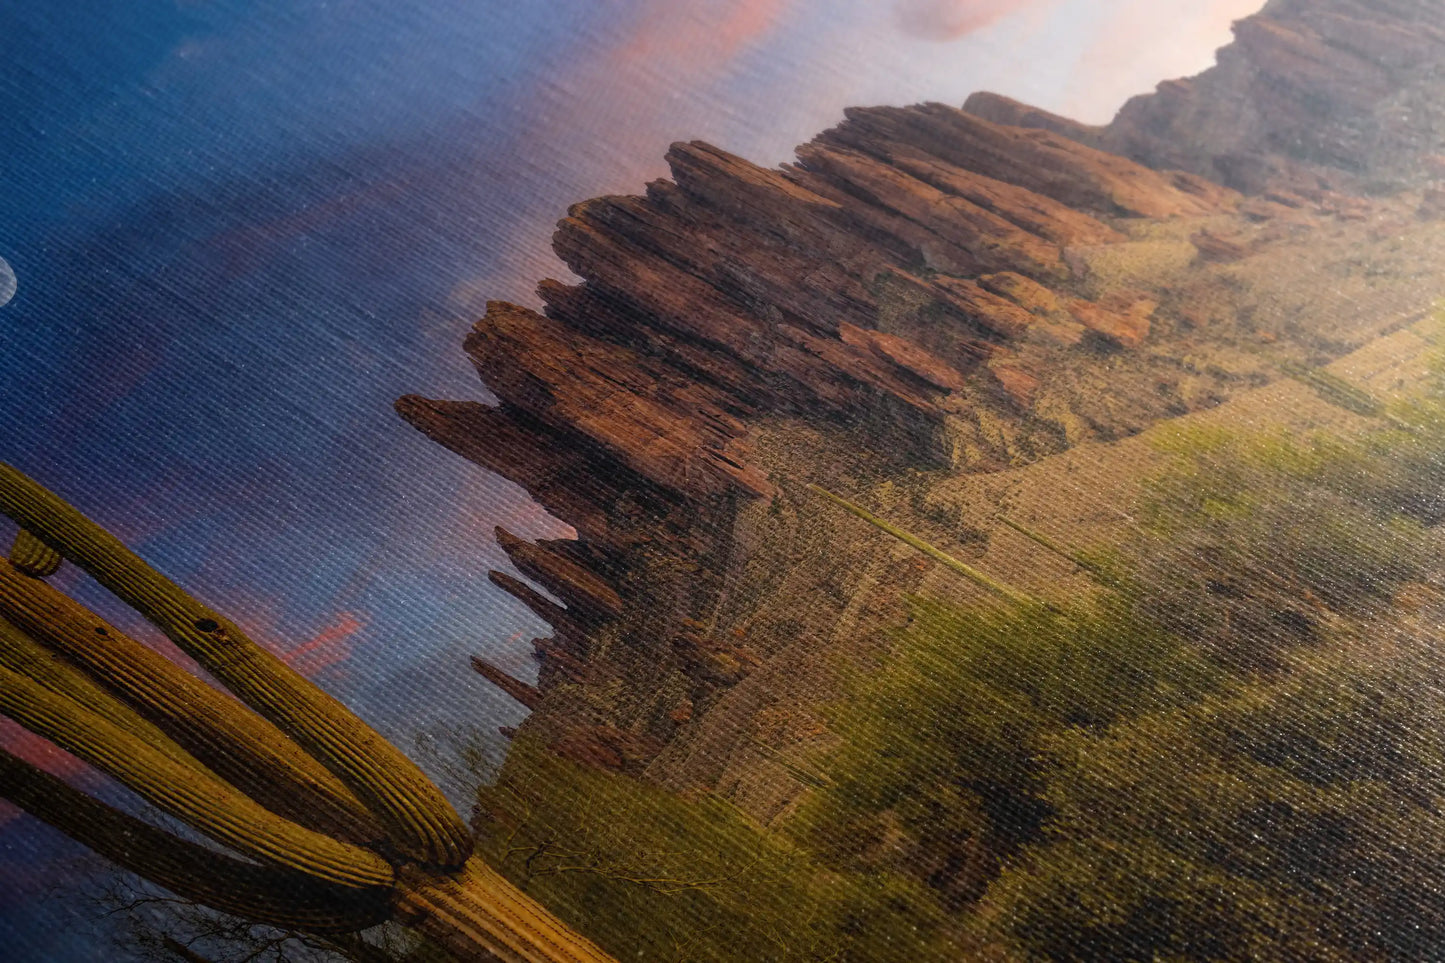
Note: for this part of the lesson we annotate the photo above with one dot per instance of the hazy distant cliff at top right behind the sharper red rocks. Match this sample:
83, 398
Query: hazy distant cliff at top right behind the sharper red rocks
1313, 93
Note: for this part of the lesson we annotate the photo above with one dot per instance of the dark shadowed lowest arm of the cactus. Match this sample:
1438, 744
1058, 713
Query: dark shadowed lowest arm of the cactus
265, 894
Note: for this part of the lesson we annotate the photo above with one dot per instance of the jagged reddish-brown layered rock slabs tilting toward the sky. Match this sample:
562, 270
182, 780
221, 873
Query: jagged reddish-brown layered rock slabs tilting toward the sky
853, 286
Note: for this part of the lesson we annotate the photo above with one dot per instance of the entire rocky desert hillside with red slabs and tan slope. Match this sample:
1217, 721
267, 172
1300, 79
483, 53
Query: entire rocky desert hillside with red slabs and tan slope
991, 326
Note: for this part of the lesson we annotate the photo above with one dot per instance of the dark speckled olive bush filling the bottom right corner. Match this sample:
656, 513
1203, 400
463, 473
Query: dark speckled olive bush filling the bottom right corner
1298, 821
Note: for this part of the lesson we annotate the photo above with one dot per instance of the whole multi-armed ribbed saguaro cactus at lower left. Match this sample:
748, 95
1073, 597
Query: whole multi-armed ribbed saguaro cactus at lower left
333, 828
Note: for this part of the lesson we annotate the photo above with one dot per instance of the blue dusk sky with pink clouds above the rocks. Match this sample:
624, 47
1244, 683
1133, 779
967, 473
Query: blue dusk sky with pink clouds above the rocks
243, 228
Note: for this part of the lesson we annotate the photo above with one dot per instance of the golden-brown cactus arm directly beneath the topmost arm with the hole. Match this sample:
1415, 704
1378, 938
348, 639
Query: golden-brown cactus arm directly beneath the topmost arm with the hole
223, 735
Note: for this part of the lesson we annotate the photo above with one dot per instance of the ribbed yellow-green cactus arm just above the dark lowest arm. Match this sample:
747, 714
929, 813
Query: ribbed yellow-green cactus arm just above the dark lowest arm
187, 792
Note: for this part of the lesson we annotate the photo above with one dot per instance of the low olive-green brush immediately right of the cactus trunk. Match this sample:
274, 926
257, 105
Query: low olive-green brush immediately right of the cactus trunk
652, 876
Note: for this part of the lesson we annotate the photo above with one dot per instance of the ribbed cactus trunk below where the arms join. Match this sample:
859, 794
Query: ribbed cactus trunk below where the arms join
479, 916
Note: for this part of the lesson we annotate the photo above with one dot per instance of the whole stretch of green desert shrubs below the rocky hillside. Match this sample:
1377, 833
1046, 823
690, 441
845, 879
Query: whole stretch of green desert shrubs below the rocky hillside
1233, 750
